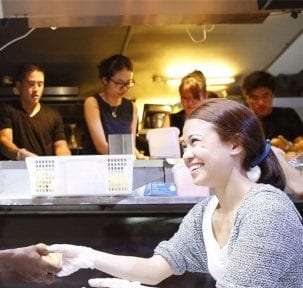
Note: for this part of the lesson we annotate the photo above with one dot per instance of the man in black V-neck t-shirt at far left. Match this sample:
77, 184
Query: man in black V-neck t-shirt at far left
29, 128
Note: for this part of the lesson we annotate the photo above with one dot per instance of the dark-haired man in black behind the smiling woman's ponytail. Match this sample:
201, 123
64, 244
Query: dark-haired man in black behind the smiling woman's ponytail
259, 88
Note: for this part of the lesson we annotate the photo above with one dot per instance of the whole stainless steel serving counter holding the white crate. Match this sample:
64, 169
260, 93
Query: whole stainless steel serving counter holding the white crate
15, 196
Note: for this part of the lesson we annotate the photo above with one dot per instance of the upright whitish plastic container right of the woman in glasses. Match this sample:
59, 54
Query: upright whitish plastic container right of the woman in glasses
163, 142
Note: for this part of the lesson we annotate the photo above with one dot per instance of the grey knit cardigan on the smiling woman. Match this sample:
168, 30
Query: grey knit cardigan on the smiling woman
265, 247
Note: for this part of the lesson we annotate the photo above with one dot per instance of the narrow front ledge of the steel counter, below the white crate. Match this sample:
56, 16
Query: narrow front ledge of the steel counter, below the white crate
98, 205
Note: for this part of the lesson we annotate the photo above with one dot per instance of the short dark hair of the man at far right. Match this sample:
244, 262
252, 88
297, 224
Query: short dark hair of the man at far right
256, 80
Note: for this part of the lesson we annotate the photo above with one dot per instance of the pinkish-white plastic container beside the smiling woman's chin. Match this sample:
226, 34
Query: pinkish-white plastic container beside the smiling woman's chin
184, 183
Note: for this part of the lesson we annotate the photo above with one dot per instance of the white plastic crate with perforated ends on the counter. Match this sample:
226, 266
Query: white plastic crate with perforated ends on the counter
104, 175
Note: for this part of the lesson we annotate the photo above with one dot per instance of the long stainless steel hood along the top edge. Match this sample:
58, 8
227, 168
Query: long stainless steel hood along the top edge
81, 13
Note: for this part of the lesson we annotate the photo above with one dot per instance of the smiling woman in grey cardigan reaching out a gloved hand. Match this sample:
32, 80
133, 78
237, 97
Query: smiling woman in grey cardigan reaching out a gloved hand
244, 226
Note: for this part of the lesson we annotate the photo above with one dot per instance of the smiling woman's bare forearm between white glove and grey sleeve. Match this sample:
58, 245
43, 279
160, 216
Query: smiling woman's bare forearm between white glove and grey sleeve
133, 268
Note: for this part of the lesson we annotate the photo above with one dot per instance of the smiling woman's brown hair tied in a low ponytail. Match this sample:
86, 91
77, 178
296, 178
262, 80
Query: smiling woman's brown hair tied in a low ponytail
234, 121
